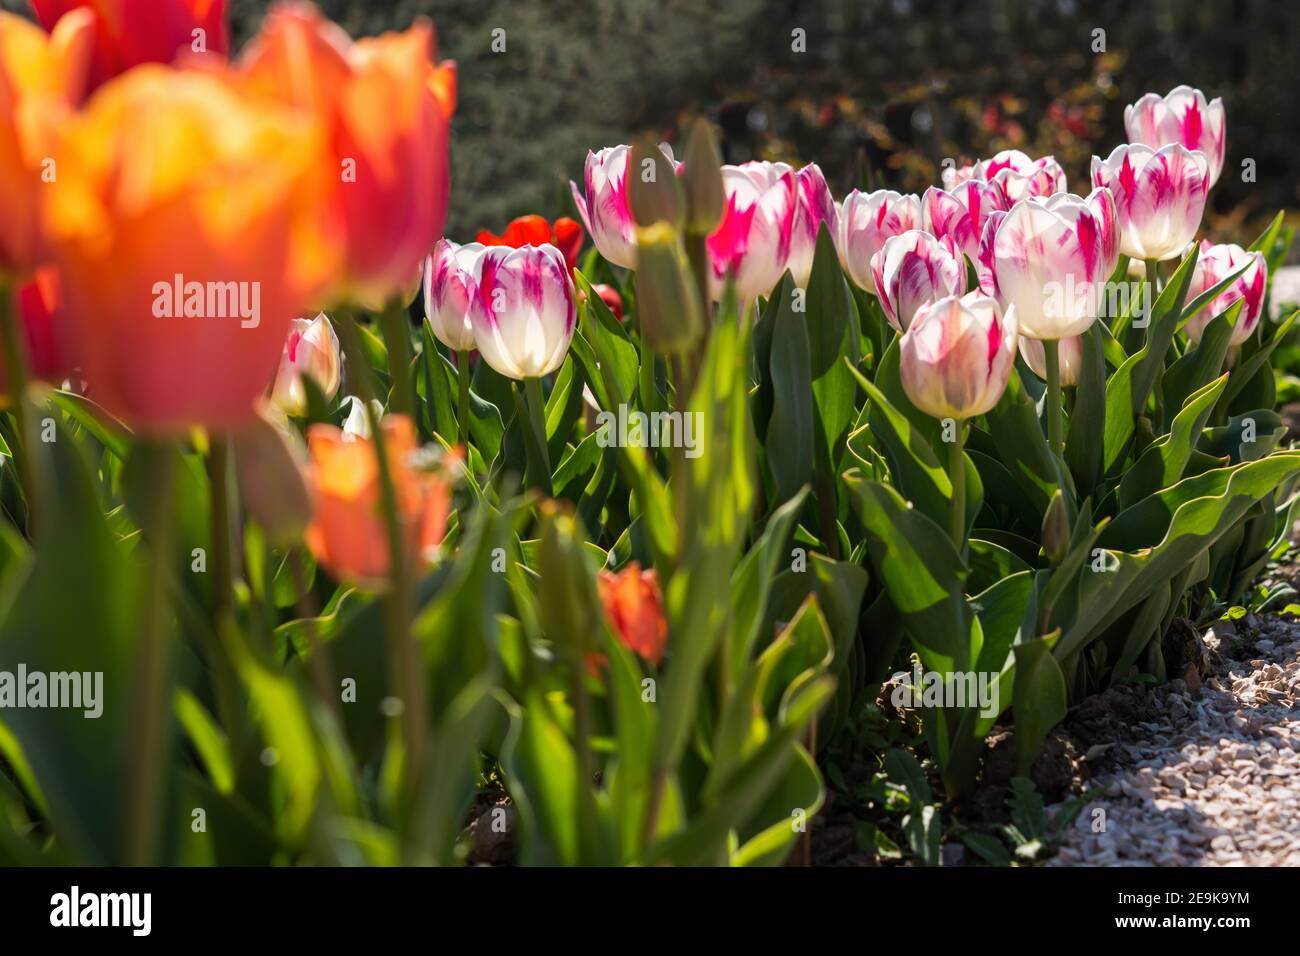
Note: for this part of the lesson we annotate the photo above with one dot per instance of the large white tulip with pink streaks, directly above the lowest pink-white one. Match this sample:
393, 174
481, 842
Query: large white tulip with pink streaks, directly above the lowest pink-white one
1051, 258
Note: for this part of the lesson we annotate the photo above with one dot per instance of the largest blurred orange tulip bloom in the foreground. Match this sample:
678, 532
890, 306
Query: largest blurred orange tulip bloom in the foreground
179, 226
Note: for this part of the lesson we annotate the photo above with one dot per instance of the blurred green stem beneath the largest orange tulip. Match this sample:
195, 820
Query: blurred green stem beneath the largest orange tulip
151, 693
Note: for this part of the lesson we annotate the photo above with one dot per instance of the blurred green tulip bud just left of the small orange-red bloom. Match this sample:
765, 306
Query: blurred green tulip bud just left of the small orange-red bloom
571, 609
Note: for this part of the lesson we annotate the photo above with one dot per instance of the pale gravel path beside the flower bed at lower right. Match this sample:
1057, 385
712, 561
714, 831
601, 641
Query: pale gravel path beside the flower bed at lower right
1206, 777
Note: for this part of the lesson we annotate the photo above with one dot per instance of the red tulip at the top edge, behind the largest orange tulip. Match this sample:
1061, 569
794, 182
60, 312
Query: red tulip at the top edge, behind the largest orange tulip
129, 33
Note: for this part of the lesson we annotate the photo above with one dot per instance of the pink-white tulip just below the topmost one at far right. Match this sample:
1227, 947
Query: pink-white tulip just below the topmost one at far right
1160, 197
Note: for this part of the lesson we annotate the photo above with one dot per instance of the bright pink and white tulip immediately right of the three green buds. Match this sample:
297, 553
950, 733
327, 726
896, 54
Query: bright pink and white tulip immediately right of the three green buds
753, 243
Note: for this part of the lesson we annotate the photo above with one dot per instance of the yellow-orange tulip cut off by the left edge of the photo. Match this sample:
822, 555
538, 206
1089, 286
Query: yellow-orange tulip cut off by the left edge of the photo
42, 79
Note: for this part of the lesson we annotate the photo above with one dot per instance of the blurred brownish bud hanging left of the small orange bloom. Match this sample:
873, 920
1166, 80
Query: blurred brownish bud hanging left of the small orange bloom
270, 461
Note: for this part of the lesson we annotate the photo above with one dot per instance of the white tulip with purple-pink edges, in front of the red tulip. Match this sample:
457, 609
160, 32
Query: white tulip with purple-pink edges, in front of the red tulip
525, 310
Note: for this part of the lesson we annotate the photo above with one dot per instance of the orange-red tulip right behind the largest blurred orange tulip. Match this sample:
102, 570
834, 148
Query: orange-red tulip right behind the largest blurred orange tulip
387, 107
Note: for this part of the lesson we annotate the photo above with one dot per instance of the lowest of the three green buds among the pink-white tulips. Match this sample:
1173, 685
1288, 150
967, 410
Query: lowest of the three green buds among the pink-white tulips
669, 305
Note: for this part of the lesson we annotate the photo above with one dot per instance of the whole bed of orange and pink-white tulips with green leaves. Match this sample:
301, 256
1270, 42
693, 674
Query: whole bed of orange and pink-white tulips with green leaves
592, 564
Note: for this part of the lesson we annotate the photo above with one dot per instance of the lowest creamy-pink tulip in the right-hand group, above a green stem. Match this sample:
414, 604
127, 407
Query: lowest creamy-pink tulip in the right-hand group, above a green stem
957, 357
